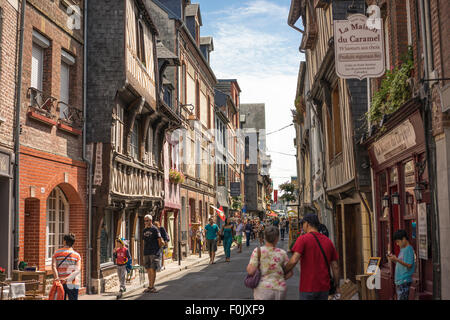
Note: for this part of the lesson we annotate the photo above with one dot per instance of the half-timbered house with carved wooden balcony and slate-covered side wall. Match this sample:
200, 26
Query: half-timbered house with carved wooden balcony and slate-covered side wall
127, 125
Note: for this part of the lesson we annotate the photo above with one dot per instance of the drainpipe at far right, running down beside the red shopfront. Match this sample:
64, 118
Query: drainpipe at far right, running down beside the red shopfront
430, 146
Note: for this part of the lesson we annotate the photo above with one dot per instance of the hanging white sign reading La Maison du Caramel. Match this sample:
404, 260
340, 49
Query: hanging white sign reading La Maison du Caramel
359, 49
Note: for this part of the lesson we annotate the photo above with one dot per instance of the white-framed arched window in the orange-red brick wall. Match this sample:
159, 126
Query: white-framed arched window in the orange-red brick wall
60, 201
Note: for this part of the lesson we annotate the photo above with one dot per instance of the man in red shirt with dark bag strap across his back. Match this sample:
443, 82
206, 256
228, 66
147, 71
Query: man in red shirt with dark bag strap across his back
314, 275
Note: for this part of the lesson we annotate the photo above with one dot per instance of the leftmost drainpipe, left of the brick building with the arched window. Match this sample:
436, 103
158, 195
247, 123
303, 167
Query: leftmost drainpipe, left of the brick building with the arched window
17, 139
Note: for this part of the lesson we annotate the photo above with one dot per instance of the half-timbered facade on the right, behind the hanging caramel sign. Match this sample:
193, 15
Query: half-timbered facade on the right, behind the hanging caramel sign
338, 106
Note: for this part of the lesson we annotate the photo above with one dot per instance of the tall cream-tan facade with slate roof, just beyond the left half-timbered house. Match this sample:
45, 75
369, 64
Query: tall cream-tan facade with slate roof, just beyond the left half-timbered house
180, 23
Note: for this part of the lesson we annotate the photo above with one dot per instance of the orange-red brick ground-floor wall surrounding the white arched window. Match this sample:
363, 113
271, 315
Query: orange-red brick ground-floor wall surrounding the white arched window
47, 171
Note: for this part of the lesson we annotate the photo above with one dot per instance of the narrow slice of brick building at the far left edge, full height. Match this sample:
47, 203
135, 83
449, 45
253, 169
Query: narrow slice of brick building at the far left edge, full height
9, 17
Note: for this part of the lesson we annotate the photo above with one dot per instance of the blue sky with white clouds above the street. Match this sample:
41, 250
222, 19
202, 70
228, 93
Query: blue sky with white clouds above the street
254, 44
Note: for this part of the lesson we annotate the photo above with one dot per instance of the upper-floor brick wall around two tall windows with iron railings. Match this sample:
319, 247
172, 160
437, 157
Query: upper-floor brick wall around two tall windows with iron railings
35, 134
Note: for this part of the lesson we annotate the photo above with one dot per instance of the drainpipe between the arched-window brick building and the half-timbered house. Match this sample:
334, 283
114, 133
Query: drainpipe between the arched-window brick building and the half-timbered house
85, 159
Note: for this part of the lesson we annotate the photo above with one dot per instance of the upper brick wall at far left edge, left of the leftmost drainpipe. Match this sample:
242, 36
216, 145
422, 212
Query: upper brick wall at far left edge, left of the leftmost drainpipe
7, 72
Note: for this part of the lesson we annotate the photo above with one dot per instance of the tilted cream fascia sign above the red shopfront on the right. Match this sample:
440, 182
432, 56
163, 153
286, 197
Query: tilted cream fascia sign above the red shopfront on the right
398, 140
